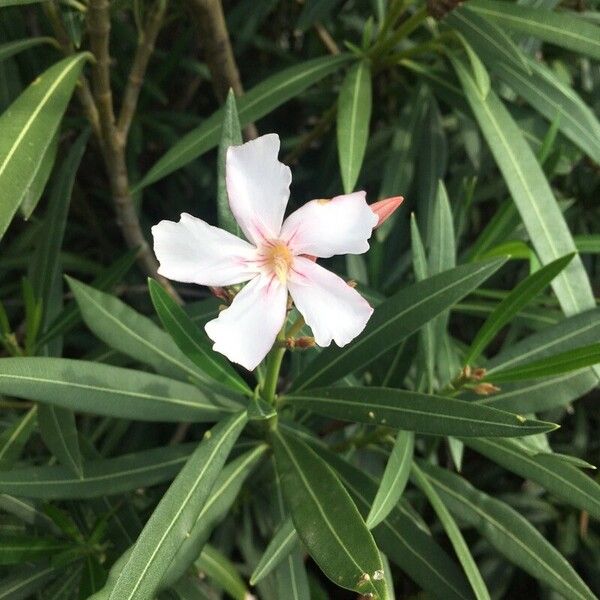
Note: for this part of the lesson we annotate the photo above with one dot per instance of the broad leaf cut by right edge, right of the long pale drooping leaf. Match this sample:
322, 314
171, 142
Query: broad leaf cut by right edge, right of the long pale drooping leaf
555, 100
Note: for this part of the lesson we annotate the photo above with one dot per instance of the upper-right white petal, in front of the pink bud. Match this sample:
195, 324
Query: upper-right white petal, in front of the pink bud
323, 228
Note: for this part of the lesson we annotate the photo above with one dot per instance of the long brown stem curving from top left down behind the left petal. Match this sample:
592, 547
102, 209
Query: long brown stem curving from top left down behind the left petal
114, 143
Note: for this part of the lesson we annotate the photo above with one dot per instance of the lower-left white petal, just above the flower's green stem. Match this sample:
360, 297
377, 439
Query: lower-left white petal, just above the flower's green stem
246, 331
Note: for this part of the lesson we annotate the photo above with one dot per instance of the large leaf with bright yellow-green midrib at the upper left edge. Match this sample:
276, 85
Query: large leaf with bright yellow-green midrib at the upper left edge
28, 127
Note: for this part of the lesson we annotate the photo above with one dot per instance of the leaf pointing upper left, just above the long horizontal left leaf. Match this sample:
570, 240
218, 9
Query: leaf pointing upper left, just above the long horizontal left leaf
131, 333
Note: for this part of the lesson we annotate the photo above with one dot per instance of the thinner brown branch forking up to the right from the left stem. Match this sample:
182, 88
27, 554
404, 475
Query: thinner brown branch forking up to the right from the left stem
138, 68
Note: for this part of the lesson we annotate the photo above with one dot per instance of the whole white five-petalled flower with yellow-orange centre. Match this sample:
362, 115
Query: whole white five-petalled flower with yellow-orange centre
274, 260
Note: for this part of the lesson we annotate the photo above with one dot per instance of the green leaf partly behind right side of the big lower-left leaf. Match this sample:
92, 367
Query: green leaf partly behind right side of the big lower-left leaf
222, 496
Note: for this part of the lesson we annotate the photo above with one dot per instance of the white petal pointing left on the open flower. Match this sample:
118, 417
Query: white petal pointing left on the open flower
193, 251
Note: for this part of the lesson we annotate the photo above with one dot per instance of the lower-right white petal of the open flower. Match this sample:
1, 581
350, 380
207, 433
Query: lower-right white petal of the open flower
332, 309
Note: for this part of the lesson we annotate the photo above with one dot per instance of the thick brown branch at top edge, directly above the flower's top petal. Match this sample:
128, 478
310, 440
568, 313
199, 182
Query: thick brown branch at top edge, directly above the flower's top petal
218, 52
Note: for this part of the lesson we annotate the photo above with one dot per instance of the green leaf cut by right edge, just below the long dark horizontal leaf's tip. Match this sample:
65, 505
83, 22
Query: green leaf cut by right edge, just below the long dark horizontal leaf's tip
553, 473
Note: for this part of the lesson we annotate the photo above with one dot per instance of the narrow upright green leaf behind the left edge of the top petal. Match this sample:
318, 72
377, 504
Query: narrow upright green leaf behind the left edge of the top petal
231, 135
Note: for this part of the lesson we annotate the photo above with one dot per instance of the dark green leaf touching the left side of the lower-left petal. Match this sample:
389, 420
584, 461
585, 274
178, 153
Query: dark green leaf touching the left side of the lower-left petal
192, 341
